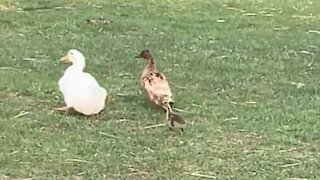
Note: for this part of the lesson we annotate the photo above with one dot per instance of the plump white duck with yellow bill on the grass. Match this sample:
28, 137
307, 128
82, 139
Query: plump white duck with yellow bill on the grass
80, 90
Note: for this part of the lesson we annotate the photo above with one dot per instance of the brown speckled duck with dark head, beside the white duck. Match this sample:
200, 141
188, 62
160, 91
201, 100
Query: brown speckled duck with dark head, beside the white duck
157, 89
